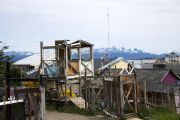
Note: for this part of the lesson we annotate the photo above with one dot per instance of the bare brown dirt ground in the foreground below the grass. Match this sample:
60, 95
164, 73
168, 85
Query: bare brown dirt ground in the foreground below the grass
53, 115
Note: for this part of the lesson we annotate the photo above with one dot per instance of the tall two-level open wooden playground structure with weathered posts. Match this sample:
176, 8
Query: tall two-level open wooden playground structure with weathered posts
64, 67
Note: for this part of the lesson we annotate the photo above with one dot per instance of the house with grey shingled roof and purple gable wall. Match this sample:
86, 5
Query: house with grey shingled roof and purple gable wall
161, 86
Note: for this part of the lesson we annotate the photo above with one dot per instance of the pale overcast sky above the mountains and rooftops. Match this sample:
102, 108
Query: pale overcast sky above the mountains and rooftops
150, 25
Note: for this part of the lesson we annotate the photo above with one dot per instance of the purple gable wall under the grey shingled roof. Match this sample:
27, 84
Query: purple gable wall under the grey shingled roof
169, 79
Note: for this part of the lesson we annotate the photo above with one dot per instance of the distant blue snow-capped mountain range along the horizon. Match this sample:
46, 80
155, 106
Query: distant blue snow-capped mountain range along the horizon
112, 52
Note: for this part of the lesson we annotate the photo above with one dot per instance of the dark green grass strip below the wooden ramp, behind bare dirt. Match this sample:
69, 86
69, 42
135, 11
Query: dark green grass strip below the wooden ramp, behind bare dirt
68, 108
